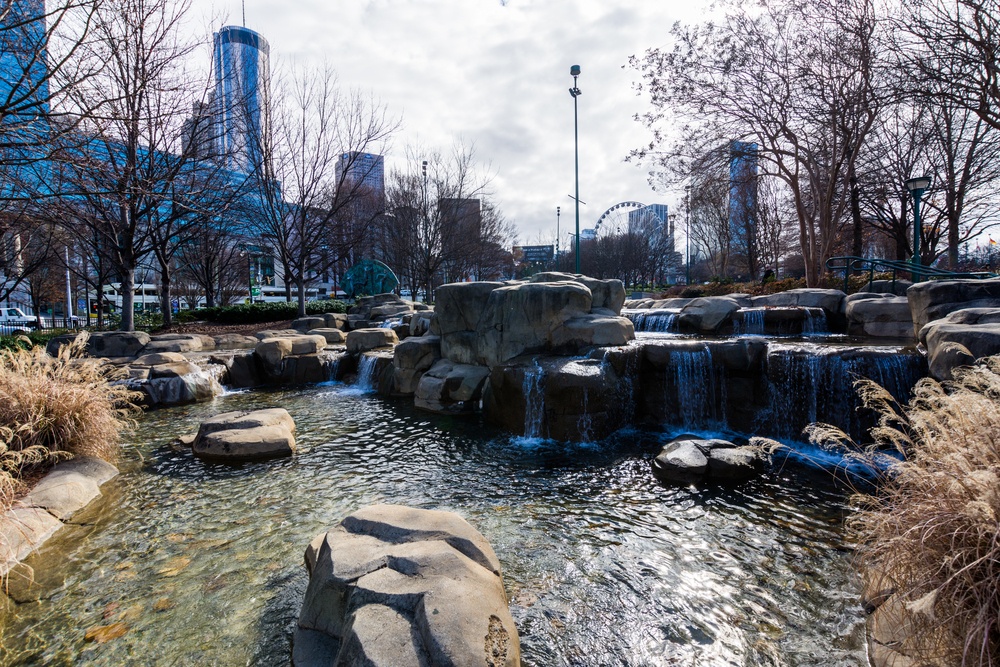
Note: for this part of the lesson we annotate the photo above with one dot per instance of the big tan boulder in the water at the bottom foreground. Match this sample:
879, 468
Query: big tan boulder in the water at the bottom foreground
394, 586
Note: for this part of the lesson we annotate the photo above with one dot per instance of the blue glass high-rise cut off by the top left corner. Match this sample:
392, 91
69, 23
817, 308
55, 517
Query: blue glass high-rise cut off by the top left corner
24, 86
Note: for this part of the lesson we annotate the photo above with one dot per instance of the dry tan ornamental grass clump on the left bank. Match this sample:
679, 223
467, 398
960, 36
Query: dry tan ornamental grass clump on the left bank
55, 408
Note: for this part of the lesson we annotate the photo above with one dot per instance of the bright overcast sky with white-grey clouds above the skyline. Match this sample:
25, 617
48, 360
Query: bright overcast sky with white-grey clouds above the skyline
497, 76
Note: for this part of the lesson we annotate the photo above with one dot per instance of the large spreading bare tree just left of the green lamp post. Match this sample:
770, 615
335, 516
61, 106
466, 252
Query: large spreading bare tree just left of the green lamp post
796, 78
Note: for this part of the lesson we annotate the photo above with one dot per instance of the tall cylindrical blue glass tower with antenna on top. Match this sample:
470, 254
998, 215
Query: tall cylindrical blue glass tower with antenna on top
242, 83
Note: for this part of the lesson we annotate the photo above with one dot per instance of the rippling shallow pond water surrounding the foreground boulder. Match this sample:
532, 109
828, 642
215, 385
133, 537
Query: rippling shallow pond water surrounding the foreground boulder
202, 564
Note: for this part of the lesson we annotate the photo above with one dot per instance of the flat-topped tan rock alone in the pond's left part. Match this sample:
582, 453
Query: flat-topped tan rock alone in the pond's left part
246, 436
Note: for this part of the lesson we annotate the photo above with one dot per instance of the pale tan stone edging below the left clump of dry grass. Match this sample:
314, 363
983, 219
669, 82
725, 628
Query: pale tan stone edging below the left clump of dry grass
68, 488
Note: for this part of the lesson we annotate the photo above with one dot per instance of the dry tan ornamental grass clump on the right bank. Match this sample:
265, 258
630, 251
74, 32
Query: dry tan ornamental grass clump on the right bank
931, 533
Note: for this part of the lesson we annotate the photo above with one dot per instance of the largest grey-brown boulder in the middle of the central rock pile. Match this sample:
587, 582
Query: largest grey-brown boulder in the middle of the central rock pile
521, 319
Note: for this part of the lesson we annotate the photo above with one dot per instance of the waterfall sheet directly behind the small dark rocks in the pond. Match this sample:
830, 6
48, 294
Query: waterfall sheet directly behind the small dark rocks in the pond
693, 386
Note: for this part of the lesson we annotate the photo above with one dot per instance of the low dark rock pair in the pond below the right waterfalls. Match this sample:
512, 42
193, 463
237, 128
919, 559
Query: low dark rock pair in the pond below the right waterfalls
688, 460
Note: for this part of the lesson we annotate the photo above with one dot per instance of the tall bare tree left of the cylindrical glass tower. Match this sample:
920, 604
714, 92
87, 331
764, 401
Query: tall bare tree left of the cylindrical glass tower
125, 177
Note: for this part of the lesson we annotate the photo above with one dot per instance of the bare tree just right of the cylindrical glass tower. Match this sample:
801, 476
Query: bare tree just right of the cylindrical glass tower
315, 208
